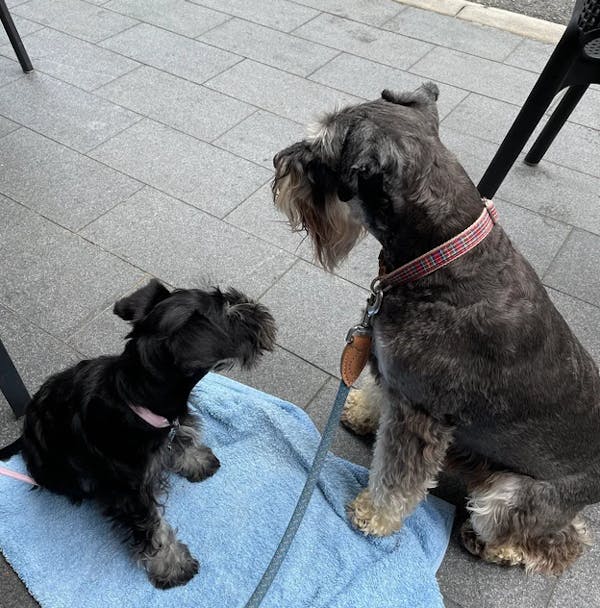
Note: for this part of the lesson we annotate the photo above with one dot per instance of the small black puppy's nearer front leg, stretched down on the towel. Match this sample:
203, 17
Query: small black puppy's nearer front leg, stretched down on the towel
167, 561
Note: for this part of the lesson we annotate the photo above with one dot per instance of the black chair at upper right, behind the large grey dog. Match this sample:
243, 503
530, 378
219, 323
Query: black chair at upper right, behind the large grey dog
575, 63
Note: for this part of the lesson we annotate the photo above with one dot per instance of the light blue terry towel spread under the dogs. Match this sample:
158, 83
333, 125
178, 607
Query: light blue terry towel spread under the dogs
69, 556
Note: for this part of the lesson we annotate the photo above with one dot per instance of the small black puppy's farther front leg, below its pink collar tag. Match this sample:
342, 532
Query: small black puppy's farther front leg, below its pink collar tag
190, 458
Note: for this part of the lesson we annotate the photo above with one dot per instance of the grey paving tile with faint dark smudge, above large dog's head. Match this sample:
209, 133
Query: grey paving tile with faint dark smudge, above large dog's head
368, 42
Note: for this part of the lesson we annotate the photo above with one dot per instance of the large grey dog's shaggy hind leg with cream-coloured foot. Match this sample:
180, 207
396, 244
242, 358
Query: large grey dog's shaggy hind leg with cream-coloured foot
516, 520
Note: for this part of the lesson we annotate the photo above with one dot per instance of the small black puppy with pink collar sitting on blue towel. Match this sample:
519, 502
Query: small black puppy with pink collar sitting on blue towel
111, 428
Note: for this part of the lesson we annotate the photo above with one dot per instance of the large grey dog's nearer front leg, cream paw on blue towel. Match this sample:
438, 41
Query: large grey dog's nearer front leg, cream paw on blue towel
409, 453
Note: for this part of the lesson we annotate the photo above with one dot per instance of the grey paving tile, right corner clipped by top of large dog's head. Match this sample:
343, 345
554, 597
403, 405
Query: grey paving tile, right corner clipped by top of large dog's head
279, 92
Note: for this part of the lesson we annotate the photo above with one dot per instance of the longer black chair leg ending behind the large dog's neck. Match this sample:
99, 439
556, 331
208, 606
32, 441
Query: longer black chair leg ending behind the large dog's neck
540, 98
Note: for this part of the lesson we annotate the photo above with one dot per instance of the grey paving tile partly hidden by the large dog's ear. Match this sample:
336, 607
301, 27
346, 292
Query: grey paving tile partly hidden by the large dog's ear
367, 79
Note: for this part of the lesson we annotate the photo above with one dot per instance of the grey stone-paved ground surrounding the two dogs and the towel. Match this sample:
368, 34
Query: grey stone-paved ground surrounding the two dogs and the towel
142, 144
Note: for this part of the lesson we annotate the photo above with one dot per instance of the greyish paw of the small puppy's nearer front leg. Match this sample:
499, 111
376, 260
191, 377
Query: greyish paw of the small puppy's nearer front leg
171, 566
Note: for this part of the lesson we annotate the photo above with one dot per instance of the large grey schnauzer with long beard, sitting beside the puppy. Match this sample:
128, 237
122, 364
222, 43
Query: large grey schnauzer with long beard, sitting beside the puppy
472, 366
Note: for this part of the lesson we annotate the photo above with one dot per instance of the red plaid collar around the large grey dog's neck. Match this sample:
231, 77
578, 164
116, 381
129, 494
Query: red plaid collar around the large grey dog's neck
443, 254
